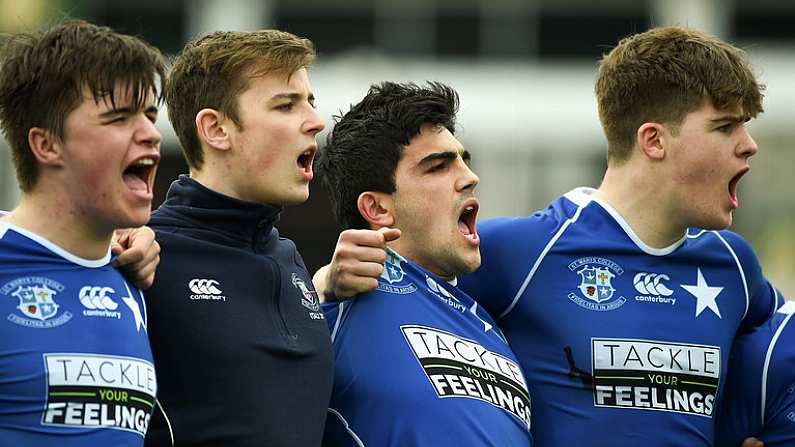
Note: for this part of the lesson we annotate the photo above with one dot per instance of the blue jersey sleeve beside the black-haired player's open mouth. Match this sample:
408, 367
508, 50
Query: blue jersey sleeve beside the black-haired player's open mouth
510, 247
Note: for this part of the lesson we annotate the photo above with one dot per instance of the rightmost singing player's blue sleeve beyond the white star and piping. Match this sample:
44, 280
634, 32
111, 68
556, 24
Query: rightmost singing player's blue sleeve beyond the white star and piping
763, 298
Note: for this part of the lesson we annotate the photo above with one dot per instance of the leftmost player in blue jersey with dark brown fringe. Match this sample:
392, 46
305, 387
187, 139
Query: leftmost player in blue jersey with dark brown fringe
78, 105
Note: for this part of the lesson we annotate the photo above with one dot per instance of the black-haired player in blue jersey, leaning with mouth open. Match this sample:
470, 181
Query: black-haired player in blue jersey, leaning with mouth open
417, 361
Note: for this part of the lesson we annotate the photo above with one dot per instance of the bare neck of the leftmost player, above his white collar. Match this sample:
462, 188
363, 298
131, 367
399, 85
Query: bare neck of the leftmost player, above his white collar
53, 217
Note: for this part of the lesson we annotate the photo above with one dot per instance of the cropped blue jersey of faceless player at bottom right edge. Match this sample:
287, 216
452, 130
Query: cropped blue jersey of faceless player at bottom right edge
759, 399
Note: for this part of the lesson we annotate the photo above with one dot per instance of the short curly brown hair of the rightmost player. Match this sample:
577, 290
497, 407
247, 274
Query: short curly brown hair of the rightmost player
665, 73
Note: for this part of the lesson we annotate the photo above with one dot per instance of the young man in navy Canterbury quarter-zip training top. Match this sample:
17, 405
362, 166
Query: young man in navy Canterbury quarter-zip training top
233, 312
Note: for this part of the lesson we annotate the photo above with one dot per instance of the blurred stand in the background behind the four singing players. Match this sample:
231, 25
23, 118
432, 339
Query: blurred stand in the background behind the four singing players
525, 71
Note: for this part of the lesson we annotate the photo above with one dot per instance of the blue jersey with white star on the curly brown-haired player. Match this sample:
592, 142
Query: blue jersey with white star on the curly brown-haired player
620, 343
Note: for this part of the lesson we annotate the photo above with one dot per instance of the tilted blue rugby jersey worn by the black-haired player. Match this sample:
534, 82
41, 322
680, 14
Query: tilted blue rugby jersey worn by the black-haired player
418, 363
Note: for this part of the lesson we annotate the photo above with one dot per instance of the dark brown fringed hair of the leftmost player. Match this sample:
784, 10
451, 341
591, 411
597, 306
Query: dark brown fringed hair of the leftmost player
44, 74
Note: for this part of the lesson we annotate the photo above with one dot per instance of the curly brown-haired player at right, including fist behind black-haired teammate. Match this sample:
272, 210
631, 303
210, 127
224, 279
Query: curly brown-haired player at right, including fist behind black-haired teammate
621, 303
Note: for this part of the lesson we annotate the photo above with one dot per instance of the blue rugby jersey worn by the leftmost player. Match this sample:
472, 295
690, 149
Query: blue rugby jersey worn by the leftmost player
75, 363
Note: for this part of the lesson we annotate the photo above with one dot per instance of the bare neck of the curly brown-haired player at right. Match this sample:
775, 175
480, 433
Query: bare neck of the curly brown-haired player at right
639, 196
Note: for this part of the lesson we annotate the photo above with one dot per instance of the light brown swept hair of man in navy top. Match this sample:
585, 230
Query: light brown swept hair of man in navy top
214, 70
